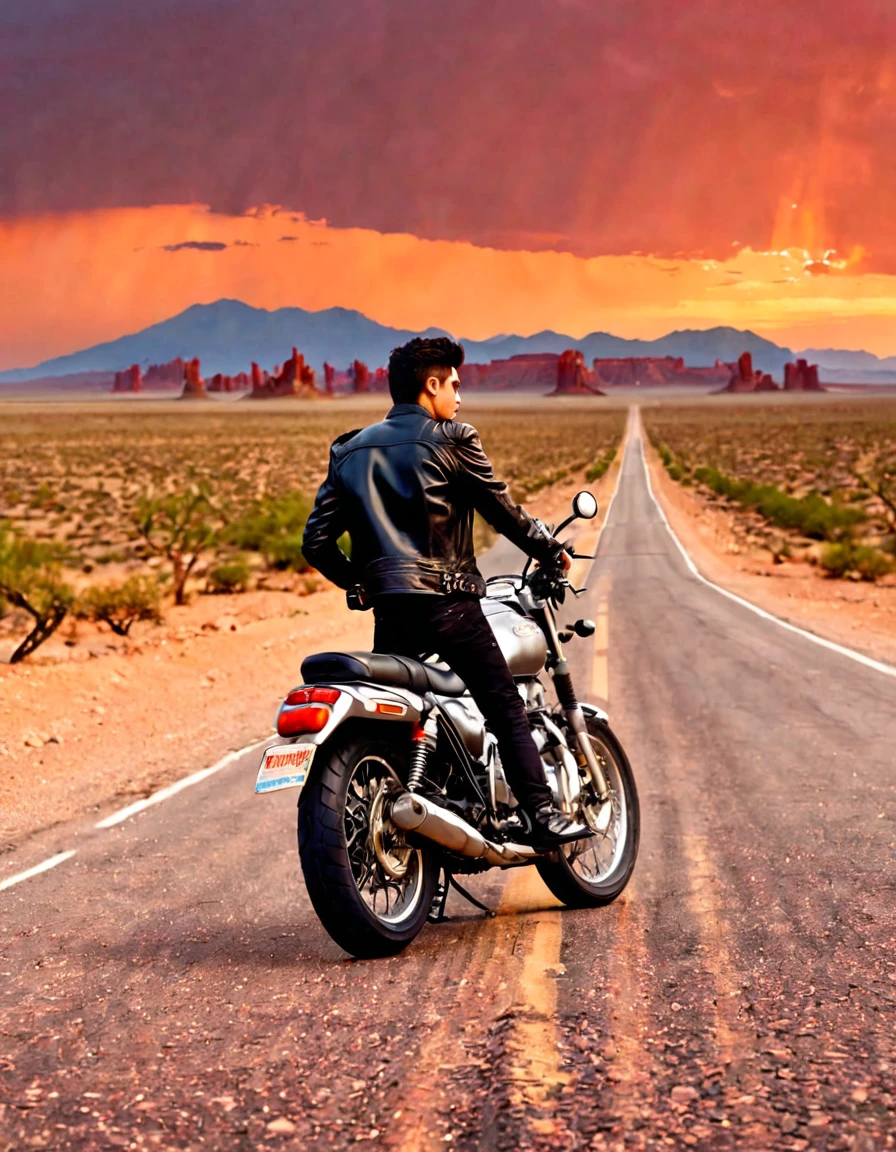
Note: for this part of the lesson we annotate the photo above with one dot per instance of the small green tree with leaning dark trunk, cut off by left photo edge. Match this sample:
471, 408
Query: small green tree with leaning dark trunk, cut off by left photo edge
32, 580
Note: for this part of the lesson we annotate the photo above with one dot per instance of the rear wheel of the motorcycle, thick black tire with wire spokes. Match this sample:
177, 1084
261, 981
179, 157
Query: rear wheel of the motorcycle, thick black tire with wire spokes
381, 915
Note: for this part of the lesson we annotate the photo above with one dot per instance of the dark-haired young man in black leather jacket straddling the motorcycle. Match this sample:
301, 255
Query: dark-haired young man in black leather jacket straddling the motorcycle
406, 491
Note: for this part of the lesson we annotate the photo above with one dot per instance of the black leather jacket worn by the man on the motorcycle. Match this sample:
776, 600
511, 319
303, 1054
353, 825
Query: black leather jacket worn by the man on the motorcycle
406, 490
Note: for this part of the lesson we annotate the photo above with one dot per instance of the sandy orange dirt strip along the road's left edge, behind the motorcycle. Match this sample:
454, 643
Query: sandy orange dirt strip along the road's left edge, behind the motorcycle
94, 726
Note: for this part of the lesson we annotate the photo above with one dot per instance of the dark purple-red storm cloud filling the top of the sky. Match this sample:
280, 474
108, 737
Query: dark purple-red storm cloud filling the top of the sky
601, 127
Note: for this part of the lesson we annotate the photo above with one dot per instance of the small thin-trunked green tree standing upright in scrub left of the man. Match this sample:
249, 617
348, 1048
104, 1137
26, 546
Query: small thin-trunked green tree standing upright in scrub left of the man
179, 527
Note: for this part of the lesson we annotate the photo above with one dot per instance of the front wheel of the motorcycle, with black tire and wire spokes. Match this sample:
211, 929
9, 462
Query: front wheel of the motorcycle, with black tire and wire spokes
565, 873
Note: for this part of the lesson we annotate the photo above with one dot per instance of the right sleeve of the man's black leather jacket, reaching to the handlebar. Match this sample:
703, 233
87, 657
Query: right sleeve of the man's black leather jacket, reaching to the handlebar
491, 499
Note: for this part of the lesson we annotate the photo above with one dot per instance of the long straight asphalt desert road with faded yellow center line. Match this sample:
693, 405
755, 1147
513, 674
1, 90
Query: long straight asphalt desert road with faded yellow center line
170, 987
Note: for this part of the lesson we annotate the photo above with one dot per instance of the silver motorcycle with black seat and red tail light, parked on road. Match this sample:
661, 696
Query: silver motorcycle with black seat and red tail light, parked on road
403, 787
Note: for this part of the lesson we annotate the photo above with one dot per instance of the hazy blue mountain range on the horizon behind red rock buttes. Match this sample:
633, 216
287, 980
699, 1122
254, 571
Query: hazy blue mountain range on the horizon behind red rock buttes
229, 336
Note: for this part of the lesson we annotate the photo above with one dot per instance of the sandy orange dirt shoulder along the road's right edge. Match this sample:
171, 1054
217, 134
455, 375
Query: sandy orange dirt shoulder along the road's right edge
856, 615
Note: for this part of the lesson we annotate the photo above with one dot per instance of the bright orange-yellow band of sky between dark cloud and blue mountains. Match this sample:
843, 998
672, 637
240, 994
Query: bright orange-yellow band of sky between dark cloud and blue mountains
72, 281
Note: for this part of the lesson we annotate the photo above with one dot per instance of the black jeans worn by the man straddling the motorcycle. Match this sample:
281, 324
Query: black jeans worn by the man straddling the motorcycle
454, 627
